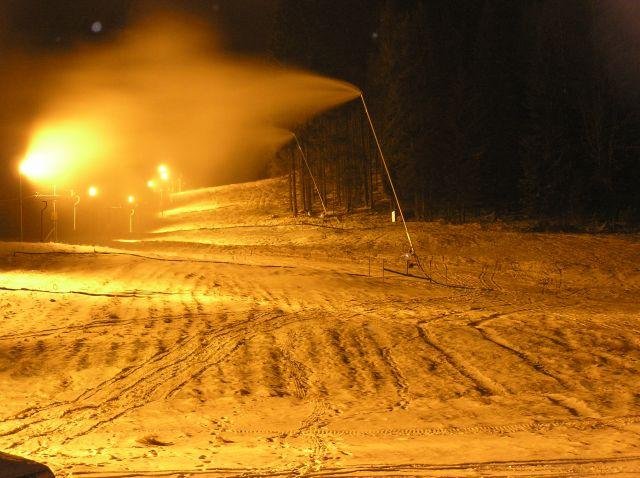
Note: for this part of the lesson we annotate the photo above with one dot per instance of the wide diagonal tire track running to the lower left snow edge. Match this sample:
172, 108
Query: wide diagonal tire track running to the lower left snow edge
159, 377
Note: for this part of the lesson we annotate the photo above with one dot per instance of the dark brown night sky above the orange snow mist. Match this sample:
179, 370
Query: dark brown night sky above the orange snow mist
46, 24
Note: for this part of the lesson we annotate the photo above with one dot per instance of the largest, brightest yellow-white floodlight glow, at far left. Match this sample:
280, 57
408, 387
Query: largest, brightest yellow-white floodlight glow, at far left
57, 150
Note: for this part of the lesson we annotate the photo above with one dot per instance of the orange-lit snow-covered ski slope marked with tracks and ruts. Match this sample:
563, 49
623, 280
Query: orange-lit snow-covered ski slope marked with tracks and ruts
235, 339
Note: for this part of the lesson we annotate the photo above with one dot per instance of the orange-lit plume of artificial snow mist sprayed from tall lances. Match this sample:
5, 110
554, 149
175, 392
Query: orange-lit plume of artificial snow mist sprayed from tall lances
164, 92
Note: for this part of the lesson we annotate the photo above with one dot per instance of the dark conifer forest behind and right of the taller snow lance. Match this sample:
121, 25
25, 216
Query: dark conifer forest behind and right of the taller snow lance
501, 109
